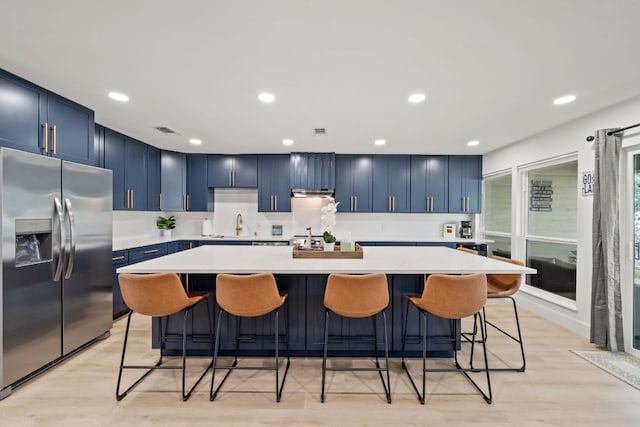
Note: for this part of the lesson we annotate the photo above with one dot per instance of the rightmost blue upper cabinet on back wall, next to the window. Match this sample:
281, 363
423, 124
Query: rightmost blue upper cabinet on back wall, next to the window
465, 184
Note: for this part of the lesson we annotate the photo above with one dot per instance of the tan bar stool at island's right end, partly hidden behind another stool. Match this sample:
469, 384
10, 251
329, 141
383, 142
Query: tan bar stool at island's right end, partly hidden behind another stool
505, 286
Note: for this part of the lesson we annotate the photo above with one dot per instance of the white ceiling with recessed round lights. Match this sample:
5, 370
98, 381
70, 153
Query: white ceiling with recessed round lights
490, 68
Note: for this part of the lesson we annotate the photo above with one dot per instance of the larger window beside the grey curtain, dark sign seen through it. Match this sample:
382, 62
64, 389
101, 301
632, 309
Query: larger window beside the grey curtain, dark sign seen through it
551, 225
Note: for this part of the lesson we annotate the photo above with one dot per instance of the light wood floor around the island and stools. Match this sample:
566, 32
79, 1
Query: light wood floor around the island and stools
558, 389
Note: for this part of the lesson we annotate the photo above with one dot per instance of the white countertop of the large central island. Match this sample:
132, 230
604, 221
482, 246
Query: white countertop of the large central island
279, 260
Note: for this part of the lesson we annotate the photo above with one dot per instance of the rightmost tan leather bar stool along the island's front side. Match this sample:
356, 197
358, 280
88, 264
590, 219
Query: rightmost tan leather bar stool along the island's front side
454, 298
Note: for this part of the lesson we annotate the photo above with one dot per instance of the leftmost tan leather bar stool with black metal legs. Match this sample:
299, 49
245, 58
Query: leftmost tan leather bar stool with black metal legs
158, 295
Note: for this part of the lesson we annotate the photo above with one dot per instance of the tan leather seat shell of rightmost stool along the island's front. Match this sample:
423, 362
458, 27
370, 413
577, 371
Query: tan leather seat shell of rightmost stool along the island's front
454, 297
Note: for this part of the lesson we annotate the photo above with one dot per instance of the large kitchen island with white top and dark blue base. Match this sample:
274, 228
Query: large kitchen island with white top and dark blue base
304, 280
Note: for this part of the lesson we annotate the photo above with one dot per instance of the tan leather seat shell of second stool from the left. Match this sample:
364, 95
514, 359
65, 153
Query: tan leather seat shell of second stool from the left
248, 296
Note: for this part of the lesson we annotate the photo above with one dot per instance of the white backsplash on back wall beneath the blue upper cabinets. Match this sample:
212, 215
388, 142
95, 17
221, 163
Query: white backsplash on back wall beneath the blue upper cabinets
228, 203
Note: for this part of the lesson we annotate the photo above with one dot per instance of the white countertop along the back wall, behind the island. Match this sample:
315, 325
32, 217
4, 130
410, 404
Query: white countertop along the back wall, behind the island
138, 241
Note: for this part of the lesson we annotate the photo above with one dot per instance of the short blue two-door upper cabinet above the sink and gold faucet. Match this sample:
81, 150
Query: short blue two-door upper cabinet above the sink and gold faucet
239, 171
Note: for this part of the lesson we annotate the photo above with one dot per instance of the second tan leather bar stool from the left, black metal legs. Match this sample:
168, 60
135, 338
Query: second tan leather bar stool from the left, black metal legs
249, 296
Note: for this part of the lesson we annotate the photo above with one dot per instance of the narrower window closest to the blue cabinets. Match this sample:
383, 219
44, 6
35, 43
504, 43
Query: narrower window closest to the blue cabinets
497, 214
